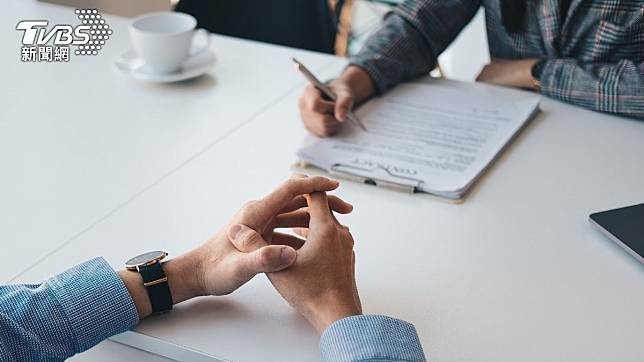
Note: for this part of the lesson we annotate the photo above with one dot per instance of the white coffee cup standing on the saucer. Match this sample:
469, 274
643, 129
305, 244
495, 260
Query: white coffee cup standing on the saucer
164, 40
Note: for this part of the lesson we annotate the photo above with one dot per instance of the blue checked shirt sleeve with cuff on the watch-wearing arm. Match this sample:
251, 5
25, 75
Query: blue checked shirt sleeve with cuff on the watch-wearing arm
67, 314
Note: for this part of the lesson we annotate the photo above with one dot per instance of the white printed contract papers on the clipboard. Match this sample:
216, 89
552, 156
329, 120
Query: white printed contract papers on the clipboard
423, 138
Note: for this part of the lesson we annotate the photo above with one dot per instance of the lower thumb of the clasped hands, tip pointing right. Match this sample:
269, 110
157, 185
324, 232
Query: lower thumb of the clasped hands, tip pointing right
265, 260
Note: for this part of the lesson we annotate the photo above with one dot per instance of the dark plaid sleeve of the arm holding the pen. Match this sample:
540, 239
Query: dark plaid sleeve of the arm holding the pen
411, 38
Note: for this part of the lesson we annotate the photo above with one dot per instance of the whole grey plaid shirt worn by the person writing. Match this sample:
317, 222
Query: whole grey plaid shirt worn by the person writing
594, 54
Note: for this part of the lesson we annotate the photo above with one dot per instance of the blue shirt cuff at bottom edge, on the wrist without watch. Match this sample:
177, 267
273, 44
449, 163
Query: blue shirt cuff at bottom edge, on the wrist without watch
371, 337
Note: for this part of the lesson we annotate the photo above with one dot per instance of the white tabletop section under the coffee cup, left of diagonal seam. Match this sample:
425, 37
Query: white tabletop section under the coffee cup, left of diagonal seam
80, 140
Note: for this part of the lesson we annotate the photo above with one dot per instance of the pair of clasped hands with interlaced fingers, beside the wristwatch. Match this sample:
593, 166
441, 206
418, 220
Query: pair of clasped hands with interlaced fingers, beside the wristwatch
314, 274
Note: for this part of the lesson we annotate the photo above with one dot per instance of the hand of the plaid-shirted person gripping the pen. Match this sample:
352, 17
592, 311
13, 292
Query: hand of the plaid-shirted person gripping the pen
322, 117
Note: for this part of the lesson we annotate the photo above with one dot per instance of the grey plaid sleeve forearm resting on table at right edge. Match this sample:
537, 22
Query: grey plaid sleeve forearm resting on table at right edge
614, 87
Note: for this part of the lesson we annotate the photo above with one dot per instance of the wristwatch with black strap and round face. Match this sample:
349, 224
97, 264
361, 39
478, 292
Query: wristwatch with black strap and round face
154, 279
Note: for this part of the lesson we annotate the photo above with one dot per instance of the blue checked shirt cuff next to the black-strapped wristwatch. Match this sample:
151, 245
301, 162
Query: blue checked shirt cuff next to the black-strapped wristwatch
95, 302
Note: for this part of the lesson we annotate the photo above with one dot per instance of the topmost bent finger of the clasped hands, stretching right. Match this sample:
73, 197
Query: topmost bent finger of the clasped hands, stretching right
293, 187
